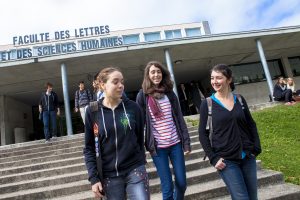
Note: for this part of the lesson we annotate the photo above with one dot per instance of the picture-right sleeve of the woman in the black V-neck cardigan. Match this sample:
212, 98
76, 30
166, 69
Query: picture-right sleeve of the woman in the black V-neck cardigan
253, 128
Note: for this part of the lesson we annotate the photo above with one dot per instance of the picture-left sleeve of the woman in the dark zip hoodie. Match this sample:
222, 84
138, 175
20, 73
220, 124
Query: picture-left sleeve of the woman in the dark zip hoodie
89, 149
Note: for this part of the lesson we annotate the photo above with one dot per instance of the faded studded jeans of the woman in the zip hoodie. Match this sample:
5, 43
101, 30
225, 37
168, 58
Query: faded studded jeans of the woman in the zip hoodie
133, 186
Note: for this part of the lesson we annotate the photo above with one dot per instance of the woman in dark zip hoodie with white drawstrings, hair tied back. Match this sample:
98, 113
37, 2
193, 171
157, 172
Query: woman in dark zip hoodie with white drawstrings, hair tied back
114, 143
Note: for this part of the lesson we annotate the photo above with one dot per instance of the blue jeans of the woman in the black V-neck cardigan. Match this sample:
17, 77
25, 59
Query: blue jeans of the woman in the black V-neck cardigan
240, 178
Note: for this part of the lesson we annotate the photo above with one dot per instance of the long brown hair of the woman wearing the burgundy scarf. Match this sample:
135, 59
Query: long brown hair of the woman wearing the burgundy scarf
166, 81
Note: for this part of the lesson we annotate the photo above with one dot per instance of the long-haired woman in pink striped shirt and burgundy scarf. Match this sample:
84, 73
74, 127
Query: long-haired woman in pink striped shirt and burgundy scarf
167, 136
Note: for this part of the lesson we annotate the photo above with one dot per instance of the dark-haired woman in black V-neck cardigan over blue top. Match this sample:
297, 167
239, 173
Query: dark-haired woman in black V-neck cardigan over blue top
233, 143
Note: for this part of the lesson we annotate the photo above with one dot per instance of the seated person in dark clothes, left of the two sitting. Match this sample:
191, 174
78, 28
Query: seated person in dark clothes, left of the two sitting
281, 93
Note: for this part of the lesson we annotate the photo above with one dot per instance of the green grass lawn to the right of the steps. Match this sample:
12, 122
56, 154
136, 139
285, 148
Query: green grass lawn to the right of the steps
279, 130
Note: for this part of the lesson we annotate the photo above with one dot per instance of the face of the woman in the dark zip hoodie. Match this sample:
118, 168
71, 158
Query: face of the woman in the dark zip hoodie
114, 86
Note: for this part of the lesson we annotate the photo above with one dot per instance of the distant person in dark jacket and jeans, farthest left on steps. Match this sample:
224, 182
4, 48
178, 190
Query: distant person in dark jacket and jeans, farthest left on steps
48, 107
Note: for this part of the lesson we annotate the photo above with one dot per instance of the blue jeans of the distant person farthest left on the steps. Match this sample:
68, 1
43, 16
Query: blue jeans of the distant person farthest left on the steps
52, 116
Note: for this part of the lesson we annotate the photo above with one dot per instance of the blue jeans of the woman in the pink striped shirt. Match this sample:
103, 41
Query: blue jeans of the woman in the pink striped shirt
161, 161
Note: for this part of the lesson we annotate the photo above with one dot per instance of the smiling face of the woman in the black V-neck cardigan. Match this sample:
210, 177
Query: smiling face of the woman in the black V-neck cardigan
219, 82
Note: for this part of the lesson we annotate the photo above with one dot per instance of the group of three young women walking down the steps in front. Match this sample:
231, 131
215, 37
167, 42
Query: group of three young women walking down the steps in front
118, 130
